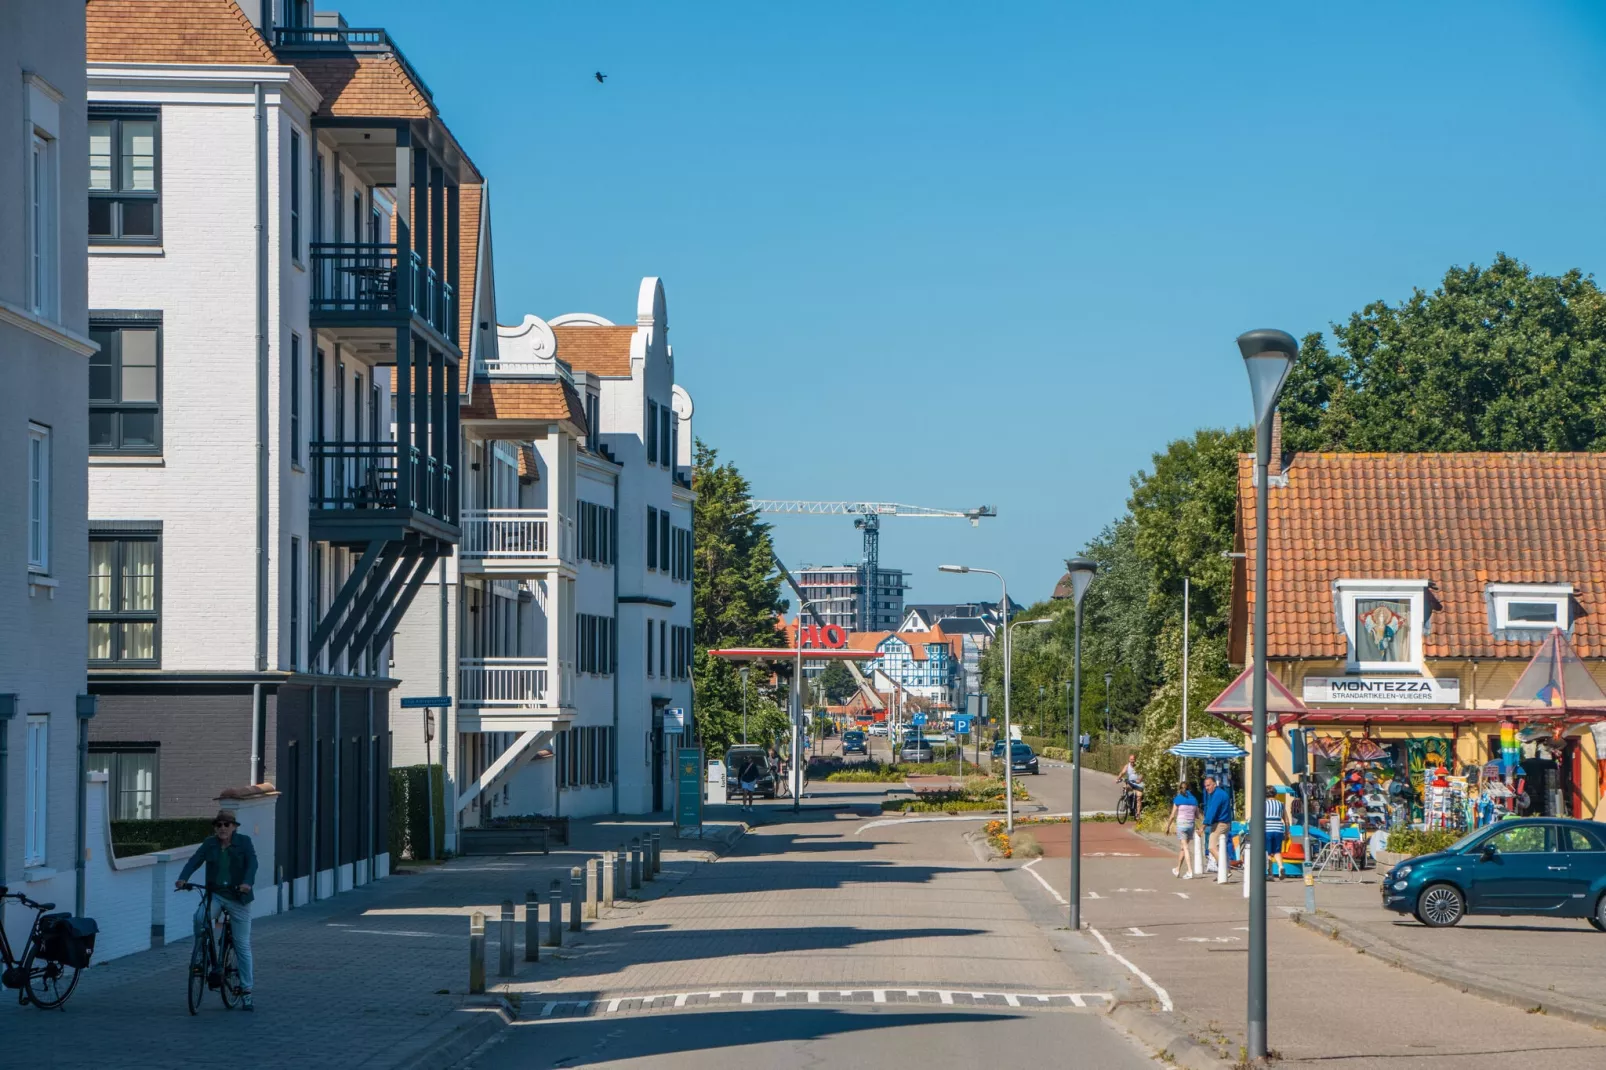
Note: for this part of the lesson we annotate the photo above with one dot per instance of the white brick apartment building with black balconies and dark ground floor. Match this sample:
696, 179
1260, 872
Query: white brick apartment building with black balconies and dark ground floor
277, 216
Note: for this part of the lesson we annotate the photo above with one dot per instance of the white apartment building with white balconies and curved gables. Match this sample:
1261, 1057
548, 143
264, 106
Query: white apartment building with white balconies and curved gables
565, 629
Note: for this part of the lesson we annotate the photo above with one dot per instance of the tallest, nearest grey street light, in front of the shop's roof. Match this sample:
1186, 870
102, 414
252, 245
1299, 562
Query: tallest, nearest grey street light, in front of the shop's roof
1268, 356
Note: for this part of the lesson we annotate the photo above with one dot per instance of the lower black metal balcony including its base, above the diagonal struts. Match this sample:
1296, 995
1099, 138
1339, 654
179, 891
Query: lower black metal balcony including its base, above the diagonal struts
361, 488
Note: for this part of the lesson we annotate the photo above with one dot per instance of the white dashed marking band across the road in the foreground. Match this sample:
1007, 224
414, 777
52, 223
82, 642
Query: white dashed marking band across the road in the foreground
772, 997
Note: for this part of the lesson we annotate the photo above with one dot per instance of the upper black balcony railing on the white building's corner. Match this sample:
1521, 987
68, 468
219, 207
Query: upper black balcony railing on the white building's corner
372, 280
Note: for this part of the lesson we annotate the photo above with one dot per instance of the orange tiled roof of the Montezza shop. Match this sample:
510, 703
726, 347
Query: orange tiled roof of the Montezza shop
1457, 520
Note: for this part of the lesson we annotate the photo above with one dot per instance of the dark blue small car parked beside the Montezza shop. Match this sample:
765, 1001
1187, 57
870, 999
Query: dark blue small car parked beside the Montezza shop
1527, 867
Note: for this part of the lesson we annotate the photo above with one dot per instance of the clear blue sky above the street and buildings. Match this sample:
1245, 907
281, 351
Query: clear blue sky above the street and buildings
945, 255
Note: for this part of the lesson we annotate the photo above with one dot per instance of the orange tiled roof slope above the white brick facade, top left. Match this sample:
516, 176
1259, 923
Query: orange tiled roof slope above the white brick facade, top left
173, 31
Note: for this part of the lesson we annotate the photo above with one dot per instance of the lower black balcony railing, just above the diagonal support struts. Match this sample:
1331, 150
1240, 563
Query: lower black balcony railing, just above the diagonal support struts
367, 476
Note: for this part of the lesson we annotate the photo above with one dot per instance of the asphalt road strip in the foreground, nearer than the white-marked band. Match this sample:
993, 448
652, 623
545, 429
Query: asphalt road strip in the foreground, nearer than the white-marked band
818, 1037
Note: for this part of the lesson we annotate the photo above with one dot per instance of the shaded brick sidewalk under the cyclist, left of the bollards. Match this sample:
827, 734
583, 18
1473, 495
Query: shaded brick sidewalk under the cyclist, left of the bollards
369, 979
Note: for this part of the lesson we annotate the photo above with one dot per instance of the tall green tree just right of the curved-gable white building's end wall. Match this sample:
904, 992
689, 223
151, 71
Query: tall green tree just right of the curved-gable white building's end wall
738, 595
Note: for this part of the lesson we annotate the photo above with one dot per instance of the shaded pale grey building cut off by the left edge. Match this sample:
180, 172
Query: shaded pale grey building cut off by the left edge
44, 415
